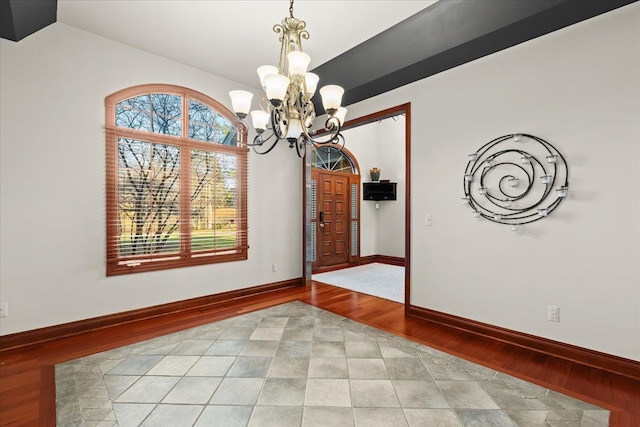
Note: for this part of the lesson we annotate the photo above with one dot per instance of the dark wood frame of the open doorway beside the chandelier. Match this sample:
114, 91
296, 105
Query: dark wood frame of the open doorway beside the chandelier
306, 195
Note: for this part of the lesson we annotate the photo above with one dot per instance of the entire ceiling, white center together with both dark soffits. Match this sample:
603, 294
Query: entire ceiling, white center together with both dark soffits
368, 47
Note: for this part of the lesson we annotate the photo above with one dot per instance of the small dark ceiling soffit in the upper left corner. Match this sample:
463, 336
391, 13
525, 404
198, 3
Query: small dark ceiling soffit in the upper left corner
21, 18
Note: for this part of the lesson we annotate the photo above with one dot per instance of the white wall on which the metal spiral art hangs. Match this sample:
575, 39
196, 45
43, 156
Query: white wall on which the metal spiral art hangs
578, 88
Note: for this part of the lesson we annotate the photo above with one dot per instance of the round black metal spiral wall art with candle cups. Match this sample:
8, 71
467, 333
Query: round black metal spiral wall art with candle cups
515, 179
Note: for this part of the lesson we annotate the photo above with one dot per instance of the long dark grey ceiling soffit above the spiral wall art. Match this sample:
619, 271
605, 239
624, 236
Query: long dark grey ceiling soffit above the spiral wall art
448, 34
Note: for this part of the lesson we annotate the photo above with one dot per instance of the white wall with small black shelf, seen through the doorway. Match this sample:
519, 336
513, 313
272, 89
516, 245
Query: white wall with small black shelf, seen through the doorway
382, 145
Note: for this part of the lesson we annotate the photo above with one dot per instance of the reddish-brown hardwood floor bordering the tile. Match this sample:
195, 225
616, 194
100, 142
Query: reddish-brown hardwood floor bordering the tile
27, 394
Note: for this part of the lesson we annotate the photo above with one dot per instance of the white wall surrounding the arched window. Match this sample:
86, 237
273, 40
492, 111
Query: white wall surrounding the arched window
53, 85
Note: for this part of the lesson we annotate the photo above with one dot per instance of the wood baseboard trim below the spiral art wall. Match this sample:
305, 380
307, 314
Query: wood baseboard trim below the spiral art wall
583, 356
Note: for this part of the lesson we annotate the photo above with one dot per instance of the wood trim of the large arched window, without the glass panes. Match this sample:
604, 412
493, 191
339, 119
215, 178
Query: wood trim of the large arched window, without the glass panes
184, 258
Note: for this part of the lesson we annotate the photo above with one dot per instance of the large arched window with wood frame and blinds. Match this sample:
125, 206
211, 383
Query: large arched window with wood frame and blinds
176, 180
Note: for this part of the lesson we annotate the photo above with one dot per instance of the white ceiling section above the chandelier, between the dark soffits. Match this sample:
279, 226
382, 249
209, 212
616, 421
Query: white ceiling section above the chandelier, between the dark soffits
232, 38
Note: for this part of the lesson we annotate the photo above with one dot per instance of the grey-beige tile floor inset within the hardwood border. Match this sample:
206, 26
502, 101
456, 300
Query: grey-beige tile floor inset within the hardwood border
297, 365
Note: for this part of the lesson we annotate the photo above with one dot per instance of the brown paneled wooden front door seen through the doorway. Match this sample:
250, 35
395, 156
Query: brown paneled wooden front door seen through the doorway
333, 219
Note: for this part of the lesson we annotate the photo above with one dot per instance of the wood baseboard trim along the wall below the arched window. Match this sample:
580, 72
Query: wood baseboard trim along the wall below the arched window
37, 336
